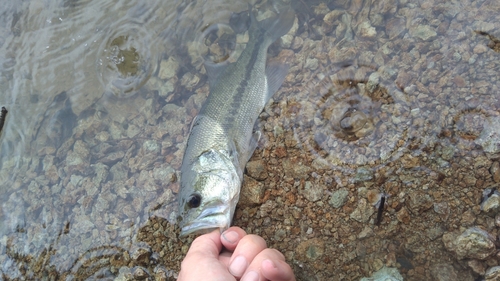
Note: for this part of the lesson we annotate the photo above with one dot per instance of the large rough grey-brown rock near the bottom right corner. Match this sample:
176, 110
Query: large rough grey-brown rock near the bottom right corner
474, 243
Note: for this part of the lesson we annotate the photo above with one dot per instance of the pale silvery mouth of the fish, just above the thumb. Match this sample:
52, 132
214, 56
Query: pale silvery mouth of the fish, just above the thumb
213, 217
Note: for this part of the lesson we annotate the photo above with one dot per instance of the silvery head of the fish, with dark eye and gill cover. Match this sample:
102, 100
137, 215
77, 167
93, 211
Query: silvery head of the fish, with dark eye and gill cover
209, 193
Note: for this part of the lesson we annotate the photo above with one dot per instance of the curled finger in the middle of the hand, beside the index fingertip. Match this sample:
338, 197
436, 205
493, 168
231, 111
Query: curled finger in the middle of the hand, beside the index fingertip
246, 250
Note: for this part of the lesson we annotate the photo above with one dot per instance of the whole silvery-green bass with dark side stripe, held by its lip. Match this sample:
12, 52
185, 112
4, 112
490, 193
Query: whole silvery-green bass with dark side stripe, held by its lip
222, 137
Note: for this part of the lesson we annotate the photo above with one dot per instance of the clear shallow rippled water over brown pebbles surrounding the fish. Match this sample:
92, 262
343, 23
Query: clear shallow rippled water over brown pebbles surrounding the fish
388, 97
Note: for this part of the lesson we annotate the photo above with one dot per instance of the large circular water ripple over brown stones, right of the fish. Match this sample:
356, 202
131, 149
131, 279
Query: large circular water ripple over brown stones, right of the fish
353, 117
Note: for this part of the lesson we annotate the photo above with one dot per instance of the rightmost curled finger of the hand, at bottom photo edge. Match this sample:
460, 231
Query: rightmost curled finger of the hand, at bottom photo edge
269, 265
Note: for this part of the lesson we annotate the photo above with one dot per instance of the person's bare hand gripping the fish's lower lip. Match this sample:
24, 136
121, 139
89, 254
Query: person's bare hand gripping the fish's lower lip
233, 255
